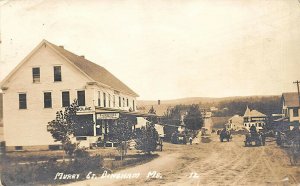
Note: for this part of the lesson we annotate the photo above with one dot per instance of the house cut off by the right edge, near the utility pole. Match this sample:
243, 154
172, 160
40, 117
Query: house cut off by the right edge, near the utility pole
290, 106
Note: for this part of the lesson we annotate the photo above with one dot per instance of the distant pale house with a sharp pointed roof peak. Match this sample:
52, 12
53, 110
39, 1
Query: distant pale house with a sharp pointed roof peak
254, 118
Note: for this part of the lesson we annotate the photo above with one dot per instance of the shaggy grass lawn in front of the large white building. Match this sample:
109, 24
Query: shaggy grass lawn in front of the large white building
38, 170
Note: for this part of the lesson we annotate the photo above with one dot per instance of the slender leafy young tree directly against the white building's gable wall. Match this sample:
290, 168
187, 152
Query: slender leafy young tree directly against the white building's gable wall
64, 126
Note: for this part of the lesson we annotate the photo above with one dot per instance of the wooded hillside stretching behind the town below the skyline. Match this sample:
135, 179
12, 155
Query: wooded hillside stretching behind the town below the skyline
227, 107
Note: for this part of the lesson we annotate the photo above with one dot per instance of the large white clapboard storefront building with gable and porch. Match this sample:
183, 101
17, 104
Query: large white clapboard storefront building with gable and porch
48, 80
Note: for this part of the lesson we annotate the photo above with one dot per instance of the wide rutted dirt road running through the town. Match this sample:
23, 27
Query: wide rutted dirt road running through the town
213, 163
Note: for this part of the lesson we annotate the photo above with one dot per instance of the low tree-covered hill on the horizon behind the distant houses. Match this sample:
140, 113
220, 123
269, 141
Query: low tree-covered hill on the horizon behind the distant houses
227, 106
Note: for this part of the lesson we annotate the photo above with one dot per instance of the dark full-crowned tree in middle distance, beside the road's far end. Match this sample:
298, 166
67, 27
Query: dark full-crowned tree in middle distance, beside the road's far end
193, 120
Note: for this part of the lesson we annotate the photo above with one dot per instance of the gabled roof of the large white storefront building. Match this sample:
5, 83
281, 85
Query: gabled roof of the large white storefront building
92, 70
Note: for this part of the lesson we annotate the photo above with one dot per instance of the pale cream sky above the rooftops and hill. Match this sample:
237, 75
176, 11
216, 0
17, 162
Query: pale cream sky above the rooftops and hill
166, 49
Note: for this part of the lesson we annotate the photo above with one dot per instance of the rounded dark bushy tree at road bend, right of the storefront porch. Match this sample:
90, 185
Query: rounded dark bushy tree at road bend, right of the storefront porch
147, 139
